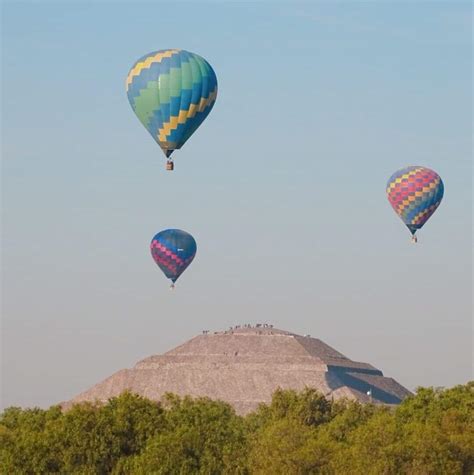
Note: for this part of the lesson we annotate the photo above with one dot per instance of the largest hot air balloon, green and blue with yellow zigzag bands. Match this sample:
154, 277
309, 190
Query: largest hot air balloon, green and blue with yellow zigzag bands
171, 91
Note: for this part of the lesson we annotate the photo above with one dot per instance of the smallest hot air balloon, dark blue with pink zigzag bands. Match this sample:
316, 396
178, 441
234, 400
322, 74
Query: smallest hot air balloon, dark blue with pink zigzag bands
173, 250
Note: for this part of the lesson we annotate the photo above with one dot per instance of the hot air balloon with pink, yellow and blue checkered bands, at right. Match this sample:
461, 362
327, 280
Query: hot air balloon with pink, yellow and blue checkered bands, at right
415, 193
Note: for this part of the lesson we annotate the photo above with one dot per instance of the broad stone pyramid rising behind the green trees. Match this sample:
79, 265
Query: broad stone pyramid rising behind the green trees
244, 365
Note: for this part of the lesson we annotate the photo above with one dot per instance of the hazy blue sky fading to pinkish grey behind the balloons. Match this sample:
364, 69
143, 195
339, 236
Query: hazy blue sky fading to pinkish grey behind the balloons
283, 186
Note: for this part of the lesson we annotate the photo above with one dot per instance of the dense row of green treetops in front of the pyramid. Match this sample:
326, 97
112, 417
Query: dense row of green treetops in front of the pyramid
297, 433
